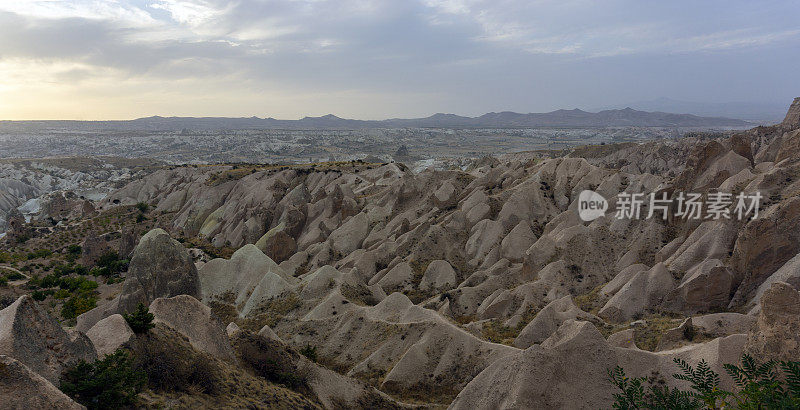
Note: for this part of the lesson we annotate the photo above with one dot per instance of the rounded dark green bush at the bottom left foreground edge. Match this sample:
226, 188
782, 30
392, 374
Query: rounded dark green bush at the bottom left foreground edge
108, 383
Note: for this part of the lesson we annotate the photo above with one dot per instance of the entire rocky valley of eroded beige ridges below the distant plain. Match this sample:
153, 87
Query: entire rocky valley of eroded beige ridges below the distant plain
383, 283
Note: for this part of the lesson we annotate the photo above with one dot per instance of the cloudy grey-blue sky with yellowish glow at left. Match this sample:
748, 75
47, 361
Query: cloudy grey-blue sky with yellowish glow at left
372, 59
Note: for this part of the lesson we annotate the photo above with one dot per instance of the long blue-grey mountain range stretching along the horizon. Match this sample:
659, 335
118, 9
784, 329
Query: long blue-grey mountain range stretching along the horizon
561, 118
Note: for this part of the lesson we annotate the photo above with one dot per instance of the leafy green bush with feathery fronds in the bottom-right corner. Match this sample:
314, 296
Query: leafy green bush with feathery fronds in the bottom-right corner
759, 386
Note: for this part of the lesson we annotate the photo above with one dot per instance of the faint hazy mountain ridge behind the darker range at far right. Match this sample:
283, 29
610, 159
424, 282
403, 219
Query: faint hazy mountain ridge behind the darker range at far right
751, 111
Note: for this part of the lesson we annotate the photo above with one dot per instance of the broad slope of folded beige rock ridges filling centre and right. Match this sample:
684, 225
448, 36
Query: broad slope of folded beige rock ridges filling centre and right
498, 245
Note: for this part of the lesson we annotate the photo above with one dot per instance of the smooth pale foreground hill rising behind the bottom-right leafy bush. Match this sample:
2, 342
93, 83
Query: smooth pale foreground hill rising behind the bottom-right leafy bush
568, 370
